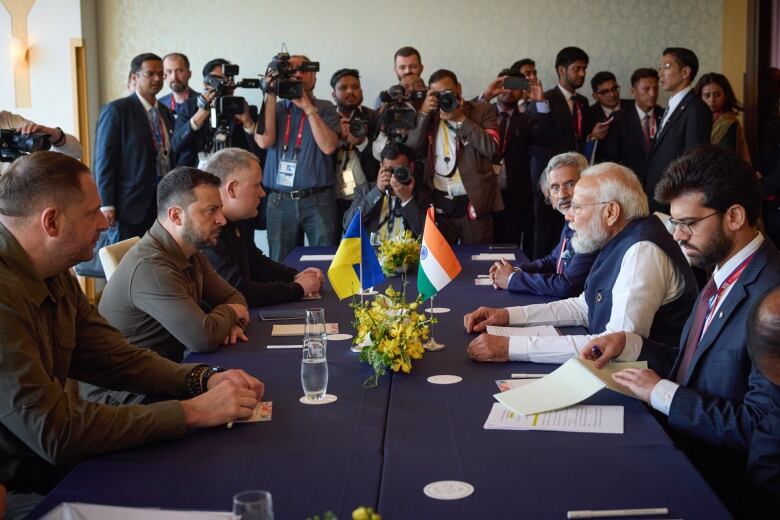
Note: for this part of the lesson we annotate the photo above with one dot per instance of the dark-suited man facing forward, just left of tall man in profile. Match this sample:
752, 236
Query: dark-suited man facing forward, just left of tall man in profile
633, 129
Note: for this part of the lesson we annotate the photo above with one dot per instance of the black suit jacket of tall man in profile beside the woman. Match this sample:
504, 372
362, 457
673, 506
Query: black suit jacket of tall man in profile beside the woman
688, 126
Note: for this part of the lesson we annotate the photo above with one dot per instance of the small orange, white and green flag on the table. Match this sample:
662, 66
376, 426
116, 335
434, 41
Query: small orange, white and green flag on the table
438, 265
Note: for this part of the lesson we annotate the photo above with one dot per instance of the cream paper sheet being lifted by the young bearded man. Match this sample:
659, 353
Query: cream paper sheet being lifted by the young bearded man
570, 384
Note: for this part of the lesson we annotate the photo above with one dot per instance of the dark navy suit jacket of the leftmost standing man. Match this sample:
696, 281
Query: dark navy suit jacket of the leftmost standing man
125, 157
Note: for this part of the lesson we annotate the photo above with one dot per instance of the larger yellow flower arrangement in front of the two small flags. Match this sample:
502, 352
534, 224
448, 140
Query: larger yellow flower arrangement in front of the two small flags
391, 333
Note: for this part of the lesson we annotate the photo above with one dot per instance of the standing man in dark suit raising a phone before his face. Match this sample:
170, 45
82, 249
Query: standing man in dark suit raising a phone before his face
517, 132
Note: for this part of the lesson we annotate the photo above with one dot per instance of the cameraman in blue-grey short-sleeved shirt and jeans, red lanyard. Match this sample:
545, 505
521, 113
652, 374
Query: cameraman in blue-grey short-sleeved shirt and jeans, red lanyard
300, 134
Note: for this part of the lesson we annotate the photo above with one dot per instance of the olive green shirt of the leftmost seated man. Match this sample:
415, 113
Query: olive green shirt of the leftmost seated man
49, 332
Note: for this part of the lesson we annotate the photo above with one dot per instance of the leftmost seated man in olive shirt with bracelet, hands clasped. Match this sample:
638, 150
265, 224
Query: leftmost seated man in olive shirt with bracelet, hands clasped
49, 221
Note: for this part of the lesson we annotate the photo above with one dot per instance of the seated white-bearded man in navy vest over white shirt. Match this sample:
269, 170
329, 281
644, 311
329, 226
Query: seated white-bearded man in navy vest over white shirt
641, 281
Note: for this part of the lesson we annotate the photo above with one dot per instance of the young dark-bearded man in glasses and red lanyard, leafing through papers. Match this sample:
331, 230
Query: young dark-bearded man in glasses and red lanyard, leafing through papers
714, 396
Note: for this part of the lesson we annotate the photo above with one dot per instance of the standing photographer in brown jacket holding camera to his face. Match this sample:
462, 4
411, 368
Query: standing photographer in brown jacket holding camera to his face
459, 139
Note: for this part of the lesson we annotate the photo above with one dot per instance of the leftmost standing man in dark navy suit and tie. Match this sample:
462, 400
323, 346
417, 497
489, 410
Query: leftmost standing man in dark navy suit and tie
133, 151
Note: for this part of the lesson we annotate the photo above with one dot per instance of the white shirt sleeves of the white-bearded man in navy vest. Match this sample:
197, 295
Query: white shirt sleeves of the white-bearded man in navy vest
647, 280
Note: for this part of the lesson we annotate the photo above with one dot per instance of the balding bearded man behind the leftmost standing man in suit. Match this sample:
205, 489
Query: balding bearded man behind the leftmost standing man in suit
182, 100
